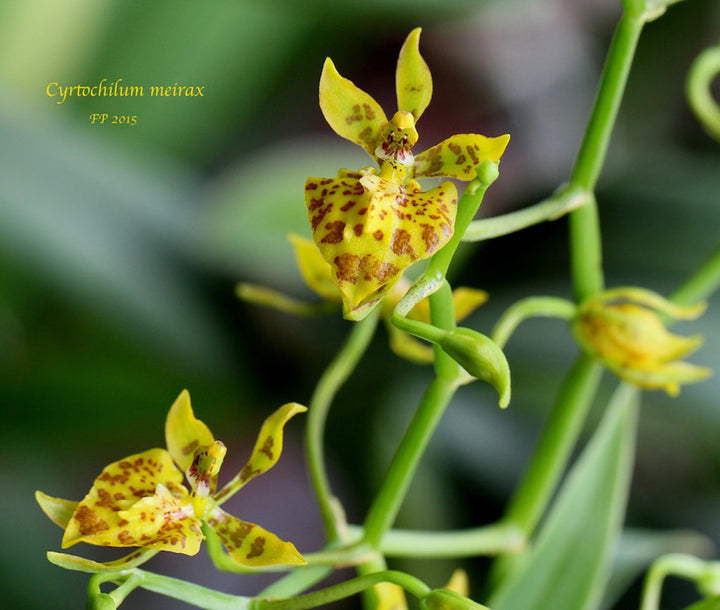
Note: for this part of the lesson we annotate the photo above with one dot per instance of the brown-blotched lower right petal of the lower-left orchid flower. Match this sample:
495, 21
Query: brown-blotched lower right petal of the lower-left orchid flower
251, 545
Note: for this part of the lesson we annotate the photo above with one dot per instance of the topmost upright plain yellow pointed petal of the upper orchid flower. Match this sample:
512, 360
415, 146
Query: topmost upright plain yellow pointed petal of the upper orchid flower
412, 78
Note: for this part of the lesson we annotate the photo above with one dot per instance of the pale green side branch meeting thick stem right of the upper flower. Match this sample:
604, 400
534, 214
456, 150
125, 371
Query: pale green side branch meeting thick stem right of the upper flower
565, 200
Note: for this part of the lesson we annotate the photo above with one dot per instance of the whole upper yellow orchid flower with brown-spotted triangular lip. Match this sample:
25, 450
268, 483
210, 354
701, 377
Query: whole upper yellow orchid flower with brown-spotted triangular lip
371, 225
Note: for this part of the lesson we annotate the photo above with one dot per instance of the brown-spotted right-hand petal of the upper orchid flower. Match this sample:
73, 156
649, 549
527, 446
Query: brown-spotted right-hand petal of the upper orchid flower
459, 155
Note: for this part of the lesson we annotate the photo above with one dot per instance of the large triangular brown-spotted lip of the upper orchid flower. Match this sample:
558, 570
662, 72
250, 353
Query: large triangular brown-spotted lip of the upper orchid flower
370, 229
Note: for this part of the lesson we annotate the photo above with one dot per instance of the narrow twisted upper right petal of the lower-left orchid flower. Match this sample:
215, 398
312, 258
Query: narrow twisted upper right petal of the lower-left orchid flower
266, 452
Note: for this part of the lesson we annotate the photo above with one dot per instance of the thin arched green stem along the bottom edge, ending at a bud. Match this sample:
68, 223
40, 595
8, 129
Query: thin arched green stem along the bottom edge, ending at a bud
344, 590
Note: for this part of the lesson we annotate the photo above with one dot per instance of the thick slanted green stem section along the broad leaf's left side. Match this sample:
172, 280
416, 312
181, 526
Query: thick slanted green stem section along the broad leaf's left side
557, 441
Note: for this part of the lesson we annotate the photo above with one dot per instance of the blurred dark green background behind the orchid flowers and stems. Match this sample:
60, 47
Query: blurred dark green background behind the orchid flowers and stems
120, 247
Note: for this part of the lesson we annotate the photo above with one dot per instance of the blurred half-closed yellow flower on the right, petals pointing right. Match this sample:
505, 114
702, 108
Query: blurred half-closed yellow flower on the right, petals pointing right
623, 329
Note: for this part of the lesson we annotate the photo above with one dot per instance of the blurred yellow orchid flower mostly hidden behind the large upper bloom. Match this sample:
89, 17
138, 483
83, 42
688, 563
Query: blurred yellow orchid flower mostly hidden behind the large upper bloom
317, 274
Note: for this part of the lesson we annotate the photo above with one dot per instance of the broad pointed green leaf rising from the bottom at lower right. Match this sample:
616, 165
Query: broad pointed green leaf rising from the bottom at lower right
568, 567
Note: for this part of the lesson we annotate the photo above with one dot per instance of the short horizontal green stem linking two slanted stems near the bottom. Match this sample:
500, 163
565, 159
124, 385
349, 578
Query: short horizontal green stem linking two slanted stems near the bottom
486, 540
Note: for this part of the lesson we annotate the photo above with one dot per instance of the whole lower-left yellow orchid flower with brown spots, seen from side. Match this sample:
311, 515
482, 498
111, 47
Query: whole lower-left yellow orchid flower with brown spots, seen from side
141, 501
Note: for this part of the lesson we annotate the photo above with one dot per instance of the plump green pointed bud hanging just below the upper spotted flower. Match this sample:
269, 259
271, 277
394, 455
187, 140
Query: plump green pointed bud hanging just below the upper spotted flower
480, 357
